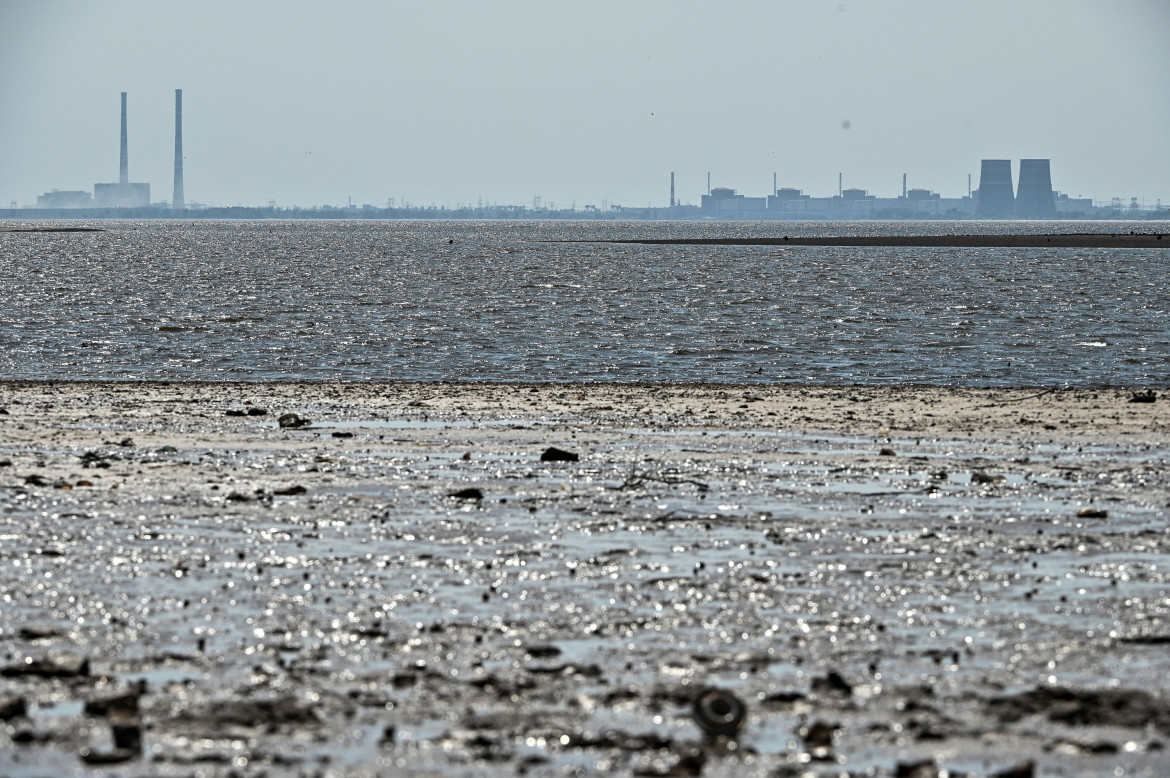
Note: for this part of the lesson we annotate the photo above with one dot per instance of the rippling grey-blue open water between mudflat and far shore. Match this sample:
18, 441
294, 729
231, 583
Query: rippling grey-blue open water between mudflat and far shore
388, 300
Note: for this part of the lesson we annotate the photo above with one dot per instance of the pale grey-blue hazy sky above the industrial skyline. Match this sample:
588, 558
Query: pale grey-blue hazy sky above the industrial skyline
446, 102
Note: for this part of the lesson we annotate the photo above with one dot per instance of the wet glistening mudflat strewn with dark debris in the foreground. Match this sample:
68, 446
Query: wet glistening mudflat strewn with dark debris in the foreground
403, 580
